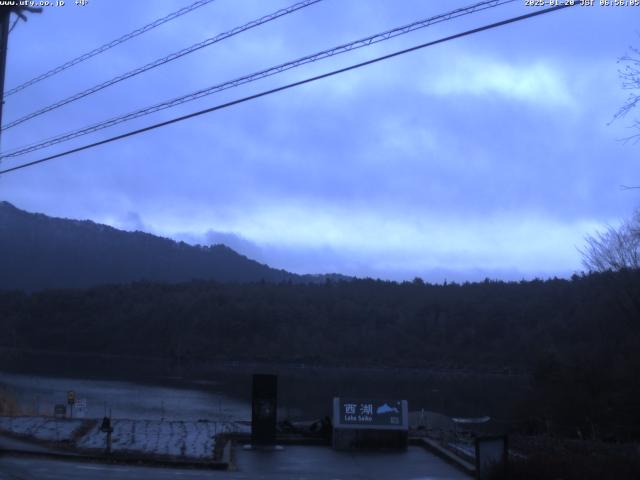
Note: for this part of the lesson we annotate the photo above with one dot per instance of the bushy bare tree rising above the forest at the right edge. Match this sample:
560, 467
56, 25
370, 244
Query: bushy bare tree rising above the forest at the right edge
615, 248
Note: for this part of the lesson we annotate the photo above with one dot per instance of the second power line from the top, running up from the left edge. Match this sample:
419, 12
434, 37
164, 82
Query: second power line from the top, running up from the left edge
161, 61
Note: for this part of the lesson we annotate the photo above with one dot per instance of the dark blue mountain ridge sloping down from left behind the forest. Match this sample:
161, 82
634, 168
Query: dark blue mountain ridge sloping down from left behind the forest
40, 252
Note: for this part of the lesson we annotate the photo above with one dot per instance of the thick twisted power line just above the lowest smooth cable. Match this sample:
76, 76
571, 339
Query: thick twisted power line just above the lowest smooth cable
363, 42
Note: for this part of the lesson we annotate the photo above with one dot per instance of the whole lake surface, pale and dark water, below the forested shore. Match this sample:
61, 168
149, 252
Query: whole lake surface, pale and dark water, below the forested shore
138, 388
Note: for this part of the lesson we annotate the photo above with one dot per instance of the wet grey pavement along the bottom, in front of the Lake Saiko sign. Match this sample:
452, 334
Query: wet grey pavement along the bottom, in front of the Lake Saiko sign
293, 463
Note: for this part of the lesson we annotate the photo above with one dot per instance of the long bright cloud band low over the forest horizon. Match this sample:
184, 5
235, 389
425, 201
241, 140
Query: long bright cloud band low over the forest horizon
314, 238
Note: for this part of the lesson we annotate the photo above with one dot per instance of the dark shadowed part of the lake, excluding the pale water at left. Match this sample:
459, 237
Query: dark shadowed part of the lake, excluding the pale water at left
304, 390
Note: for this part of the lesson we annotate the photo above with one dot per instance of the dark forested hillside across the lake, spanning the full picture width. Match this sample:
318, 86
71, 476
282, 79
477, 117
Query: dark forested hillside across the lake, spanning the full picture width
578, 338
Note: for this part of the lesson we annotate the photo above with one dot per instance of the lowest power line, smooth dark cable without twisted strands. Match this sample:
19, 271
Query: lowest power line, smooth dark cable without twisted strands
289, 86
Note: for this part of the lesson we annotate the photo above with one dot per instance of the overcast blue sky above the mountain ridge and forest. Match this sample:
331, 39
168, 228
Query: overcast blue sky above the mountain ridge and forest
491, 156
